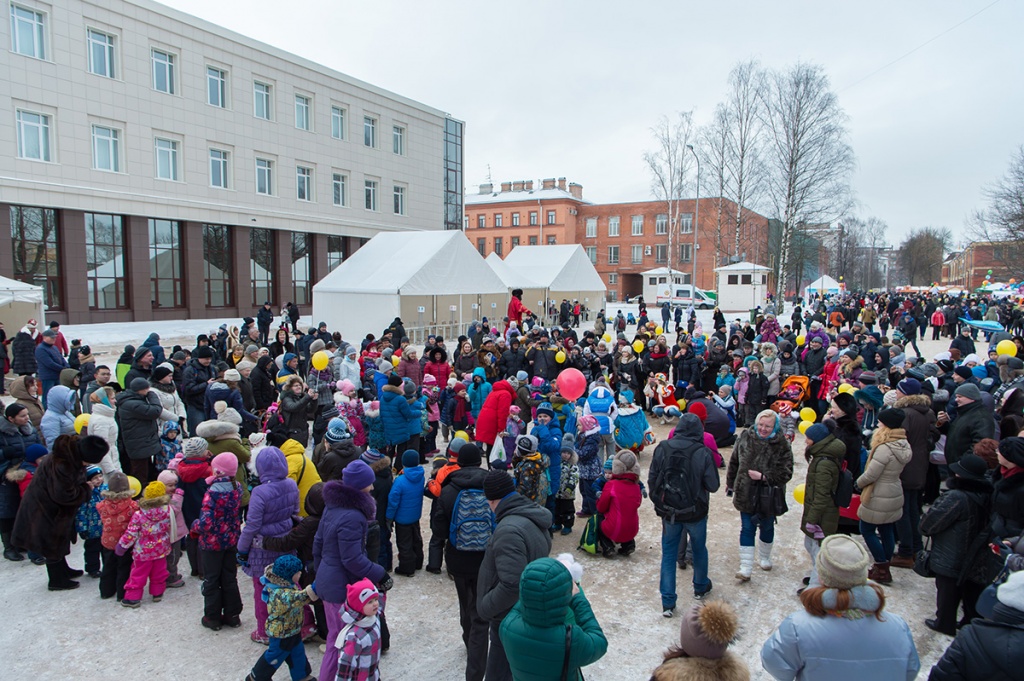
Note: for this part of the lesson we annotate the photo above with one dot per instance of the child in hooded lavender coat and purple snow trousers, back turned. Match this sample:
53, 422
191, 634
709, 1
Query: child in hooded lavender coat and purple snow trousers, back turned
272, 506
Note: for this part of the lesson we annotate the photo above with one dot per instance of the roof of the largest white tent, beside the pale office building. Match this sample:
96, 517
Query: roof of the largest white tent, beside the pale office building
414, 264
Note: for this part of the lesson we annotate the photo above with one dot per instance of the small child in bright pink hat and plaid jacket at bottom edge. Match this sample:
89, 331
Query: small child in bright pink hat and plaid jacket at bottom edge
360, 641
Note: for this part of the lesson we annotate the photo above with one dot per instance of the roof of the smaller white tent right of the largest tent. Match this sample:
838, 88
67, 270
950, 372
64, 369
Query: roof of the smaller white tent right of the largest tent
556, 268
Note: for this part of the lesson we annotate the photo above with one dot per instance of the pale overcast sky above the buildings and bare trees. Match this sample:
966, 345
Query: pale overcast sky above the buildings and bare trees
552, 90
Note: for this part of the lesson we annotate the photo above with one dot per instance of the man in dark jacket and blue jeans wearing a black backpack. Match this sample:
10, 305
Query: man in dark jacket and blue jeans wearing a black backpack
681, 480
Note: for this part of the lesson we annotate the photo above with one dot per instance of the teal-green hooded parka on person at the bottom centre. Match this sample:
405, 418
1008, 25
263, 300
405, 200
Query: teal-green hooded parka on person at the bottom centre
534, 632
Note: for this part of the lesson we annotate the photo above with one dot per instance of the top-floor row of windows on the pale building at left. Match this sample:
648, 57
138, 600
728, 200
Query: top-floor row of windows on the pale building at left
29, 37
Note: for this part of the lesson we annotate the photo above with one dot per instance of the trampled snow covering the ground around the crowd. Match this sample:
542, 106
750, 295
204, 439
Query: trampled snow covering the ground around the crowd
76, 635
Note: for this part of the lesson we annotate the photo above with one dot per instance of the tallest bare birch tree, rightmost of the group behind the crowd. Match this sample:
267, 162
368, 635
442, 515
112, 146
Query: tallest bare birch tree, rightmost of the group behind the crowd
808, 160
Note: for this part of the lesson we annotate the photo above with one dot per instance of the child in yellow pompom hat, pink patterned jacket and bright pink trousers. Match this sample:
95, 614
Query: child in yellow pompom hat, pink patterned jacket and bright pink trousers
151, 534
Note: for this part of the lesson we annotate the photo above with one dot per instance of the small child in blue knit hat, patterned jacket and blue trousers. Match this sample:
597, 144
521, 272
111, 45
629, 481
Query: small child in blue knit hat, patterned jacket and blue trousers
285, 602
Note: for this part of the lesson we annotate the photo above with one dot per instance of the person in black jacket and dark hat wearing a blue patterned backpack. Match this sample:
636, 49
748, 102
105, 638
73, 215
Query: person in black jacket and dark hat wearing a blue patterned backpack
464, 512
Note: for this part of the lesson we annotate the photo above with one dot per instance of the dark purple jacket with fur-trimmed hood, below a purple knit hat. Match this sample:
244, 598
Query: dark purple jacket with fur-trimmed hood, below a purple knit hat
340, 546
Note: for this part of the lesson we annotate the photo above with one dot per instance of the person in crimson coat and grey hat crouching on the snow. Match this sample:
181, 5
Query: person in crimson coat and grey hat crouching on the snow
620, 506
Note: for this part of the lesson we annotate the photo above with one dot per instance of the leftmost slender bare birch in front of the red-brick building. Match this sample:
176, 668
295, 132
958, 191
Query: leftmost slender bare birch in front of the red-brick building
669, 164
